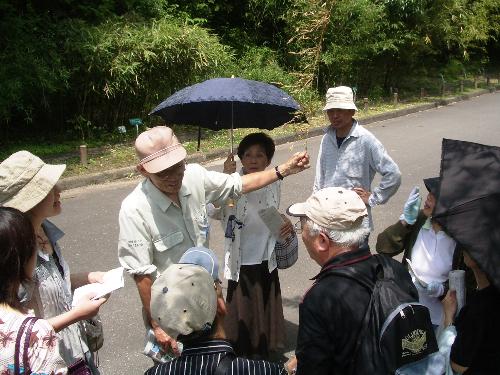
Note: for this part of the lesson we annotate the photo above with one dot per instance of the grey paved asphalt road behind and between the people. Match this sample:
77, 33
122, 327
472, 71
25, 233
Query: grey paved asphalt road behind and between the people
90, 216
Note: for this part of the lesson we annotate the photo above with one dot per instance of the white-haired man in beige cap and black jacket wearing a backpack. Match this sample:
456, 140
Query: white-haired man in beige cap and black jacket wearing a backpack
361, 315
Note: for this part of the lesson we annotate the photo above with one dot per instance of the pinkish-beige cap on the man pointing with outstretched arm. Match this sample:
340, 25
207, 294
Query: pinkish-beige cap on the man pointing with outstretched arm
158, 148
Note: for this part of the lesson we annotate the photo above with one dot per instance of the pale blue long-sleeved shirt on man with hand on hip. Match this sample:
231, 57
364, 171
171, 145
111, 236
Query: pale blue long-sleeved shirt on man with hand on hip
355, 163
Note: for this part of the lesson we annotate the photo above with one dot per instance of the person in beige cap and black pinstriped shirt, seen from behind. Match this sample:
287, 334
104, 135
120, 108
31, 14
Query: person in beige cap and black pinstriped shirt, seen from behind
187, 303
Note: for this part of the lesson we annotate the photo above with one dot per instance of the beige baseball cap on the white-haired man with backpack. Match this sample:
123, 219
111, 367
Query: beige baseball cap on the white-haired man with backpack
332, 208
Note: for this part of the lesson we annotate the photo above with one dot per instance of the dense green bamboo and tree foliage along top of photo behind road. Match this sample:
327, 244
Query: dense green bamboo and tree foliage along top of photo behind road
87, 66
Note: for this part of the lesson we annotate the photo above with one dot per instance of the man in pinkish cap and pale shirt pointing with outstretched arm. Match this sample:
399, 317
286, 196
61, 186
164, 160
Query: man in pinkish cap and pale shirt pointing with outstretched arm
166, 213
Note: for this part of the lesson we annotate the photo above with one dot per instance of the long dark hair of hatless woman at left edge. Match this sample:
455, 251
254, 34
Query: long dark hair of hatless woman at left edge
17, 246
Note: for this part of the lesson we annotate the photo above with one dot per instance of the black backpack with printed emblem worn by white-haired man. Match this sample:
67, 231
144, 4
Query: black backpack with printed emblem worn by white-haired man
397, 335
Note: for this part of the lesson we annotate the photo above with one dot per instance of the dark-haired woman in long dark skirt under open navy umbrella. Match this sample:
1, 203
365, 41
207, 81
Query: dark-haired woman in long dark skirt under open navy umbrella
254, 322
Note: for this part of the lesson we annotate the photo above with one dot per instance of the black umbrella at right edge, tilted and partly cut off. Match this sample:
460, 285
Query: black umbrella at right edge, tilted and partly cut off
468, 205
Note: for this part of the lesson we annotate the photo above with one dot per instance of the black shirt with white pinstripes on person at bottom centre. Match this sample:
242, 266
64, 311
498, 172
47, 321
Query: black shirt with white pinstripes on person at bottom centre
202, 358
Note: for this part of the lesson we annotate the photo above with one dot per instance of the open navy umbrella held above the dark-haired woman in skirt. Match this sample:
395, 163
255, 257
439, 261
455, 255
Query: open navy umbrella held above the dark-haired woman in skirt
225, 103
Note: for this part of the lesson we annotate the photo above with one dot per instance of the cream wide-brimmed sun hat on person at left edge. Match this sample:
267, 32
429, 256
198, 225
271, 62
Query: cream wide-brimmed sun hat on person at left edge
25, 180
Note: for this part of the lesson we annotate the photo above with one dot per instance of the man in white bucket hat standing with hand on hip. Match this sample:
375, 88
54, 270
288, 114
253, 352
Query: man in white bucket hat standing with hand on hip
350, 156
